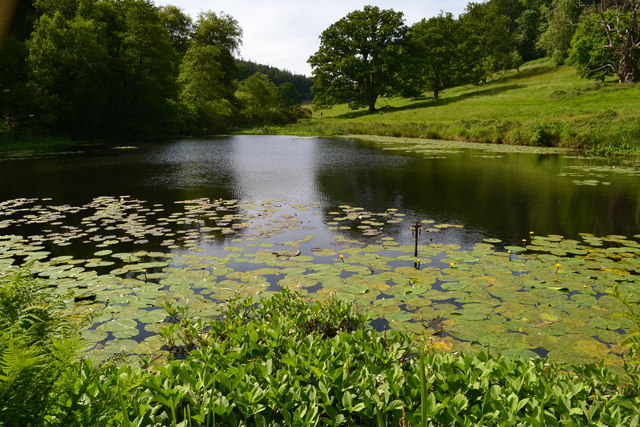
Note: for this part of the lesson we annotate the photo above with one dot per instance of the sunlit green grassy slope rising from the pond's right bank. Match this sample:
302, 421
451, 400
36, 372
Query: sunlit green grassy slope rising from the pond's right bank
541, 105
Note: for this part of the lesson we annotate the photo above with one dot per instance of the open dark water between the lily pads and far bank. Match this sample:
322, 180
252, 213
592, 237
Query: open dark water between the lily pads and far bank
492, 196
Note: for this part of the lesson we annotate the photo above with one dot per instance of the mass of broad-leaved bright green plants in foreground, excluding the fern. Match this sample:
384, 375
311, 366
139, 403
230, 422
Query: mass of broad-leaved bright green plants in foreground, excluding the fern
262, 367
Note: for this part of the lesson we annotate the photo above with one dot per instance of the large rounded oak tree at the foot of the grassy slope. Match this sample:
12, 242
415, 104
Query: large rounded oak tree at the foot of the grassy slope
359, 59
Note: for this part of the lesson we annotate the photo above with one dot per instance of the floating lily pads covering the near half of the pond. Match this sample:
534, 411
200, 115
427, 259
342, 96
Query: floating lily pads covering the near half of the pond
119, 260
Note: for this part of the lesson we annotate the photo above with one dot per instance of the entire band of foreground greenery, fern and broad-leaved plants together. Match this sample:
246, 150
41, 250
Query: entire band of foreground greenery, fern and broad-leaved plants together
284, 361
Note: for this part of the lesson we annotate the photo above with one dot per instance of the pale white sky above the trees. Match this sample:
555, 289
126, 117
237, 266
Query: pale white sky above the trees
285, 33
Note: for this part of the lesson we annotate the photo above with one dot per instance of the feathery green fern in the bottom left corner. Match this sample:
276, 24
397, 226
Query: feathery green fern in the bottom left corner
35, 348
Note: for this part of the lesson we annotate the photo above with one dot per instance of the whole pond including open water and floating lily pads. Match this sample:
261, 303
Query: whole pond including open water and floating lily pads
517, 248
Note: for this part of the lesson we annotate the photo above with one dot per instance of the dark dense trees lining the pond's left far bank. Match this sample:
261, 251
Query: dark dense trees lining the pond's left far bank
127, 68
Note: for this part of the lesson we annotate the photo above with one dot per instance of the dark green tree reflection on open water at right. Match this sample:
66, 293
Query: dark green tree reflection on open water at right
504, 197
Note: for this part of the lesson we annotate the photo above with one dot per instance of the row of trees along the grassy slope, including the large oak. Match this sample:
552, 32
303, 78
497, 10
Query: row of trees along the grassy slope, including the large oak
372, 53
